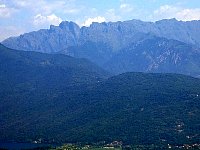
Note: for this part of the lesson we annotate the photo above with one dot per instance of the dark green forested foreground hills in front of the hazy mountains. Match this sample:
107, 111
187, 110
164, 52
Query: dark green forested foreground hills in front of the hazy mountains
57, 98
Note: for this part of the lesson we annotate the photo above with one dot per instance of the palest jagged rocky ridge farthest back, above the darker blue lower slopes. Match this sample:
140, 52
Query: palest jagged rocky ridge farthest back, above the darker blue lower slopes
116, 34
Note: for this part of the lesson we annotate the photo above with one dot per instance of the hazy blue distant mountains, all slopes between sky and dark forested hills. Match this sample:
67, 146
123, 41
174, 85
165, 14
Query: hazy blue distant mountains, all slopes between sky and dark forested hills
163, 46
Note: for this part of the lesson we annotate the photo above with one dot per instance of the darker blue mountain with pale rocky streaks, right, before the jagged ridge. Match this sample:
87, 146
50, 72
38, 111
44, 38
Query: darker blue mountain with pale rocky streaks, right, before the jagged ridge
156, 55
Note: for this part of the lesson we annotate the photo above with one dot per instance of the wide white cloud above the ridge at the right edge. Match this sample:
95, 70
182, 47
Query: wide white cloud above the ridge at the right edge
168, 11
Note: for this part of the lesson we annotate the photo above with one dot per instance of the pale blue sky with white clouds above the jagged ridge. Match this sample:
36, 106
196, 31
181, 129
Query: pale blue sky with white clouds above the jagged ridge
20, 16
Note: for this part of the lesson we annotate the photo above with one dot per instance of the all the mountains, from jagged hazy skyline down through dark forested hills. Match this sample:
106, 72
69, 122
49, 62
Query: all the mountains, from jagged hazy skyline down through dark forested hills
130, 81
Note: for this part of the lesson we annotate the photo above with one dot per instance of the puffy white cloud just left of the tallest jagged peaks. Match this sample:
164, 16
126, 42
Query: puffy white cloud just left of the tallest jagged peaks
40, 20
